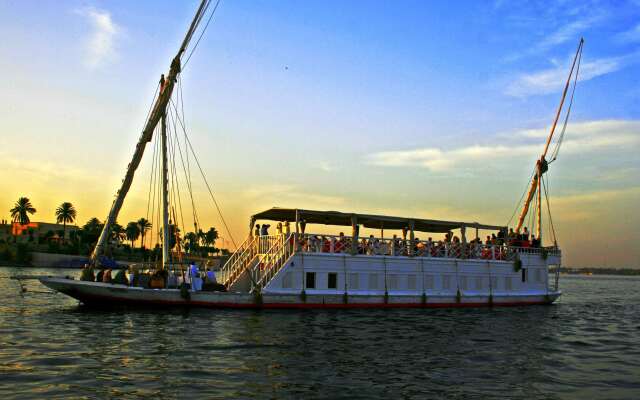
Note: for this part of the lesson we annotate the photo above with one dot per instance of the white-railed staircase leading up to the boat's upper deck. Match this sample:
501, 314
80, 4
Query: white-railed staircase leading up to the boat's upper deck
256, 262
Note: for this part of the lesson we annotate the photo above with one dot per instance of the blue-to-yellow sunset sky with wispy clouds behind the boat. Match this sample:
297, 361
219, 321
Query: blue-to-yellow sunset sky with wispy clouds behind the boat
408, 108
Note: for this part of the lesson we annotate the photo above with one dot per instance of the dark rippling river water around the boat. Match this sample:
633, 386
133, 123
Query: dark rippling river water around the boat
585, 346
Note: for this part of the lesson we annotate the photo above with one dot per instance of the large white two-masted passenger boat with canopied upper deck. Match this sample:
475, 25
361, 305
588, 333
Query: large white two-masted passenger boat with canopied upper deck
297, 267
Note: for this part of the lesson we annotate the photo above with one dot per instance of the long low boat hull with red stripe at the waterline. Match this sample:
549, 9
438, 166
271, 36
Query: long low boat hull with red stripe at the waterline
105, 295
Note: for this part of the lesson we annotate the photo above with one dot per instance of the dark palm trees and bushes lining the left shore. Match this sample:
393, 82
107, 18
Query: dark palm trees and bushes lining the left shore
83, 239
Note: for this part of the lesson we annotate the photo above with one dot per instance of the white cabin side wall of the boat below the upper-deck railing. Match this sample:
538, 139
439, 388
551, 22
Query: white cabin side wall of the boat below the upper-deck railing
375, 275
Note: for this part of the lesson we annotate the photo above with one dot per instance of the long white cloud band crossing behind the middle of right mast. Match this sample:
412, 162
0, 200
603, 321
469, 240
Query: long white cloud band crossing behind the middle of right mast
580, 138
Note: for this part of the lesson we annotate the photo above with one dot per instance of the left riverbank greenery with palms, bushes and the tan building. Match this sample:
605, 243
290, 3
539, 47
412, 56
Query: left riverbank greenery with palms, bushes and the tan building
20, 237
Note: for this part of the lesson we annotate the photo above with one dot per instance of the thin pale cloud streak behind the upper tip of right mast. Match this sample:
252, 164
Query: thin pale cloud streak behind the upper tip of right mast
552, 80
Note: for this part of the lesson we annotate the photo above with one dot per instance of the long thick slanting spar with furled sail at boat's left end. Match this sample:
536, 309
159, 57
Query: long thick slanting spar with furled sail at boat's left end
158, 111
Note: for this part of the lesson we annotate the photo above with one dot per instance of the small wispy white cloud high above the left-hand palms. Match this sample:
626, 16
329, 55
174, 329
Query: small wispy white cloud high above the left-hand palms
100, 43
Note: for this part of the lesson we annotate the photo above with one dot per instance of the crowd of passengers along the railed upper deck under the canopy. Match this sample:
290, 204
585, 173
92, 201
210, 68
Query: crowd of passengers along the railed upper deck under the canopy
496, 246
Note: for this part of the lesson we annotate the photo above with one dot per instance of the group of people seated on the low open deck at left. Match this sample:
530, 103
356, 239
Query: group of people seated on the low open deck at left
192, 278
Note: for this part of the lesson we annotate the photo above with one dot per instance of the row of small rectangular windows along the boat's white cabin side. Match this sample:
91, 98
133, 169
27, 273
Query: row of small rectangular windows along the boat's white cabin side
375, 281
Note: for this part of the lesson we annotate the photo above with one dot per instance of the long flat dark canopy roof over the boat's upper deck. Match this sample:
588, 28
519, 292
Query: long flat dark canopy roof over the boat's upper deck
366, 220
